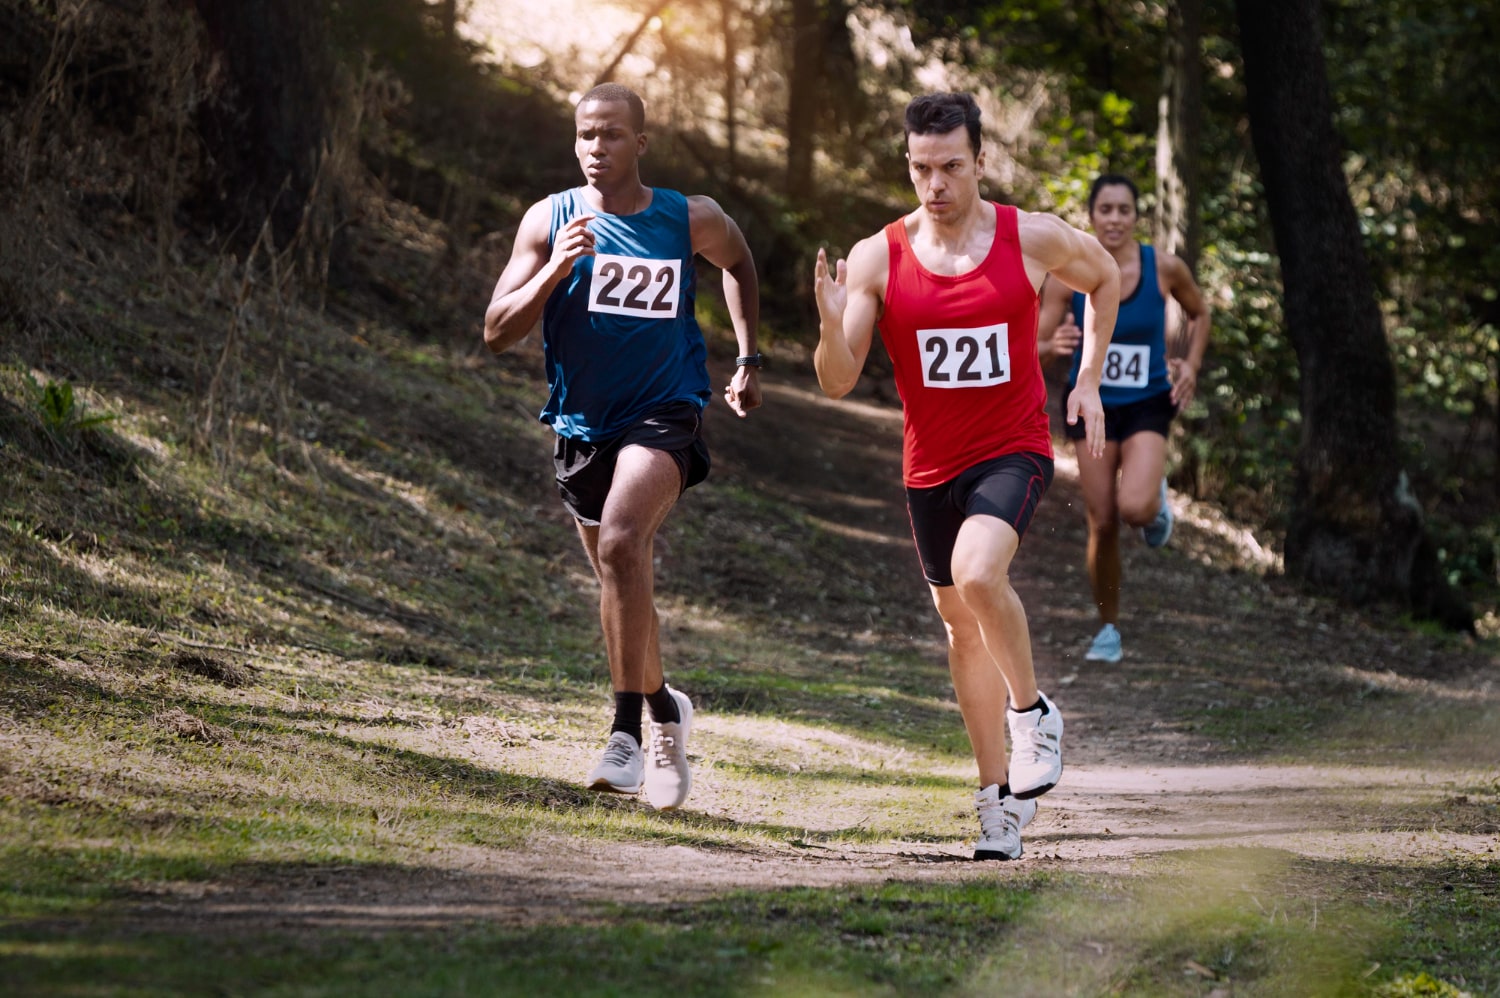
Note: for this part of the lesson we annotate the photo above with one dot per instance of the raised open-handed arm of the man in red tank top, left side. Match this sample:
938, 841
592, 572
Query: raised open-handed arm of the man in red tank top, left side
850, 302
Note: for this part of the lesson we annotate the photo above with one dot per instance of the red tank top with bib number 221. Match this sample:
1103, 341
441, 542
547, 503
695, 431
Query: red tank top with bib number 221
965, 356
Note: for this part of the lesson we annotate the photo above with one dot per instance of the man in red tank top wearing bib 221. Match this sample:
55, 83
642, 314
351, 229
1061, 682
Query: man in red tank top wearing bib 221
953, 289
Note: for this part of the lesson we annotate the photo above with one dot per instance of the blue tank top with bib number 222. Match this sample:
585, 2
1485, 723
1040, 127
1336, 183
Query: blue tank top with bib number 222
619, 335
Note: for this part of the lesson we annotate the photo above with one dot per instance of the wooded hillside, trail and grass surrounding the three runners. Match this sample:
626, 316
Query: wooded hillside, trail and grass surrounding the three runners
298, 649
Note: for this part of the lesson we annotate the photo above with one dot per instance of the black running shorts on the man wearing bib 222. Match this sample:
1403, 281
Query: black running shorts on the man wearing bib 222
586, 469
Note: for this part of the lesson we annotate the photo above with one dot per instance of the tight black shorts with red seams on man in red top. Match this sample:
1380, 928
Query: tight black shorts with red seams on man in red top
1007, 487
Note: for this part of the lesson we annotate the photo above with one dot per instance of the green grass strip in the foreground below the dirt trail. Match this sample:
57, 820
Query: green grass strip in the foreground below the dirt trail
1235, 922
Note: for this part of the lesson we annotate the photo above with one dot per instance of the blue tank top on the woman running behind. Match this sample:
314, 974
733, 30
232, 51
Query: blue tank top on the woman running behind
1136, 365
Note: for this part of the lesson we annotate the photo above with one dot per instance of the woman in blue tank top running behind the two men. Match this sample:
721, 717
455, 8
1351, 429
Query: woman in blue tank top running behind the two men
1142, 391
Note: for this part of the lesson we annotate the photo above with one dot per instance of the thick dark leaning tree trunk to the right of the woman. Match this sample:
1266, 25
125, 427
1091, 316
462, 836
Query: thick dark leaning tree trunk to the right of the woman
1357, 531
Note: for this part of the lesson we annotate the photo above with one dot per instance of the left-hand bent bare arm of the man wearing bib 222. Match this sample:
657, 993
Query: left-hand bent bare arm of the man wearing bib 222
532, 274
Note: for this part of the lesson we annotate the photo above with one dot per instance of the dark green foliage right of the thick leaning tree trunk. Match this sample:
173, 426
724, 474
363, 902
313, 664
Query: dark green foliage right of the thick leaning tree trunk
1409, 80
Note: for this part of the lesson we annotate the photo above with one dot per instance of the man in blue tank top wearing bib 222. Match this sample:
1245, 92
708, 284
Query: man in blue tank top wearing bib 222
608, 269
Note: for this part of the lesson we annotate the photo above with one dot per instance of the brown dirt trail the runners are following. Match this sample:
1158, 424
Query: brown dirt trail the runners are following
1139, 780
